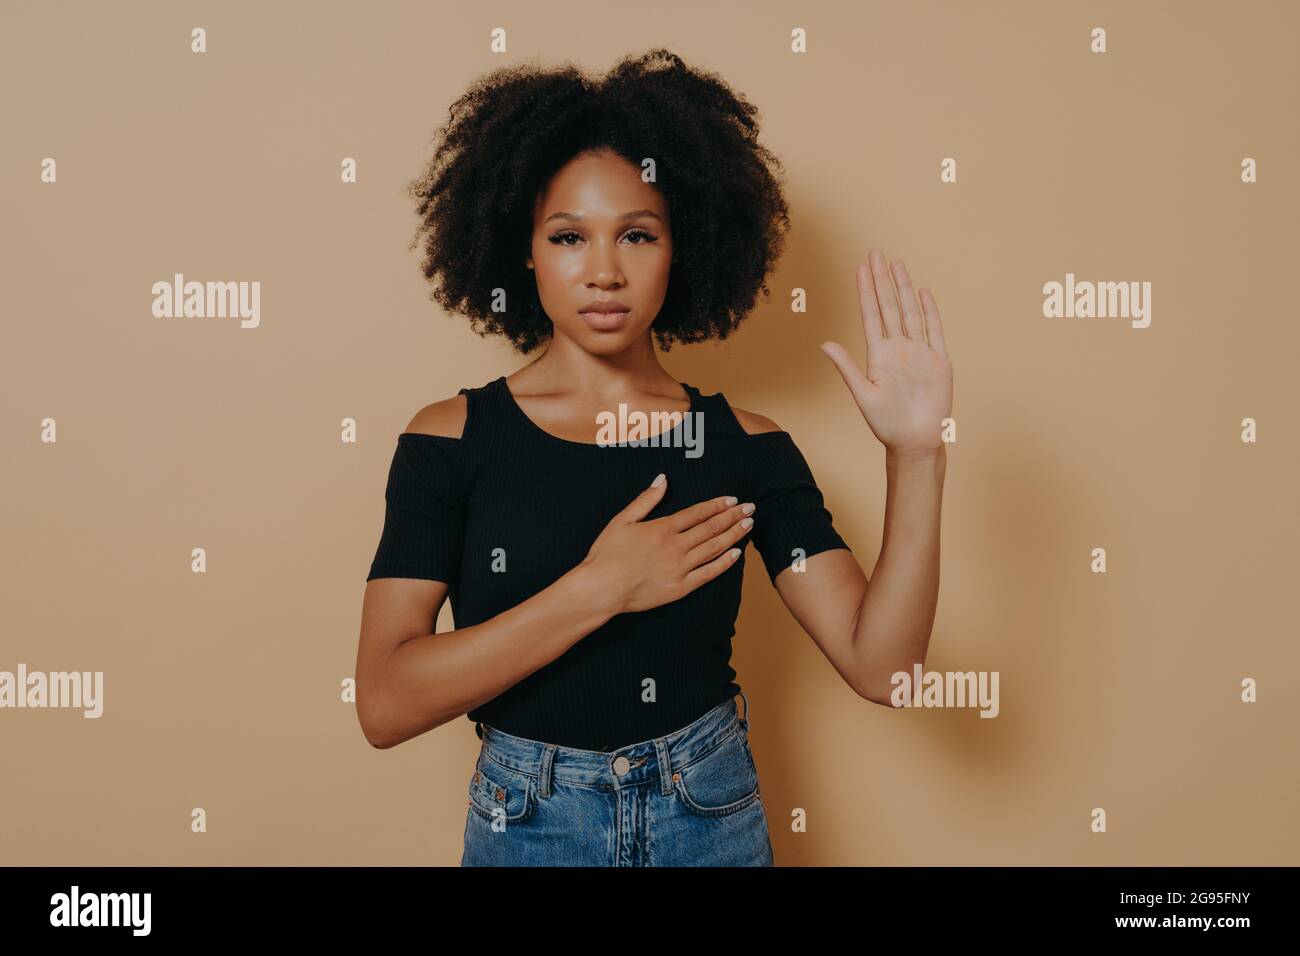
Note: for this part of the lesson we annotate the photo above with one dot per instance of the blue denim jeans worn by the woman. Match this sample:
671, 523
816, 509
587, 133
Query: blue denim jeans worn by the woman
686, 799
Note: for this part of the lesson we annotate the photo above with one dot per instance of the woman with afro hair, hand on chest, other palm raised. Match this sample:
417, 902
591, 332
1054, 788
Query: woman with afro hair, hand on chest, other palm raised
595, 569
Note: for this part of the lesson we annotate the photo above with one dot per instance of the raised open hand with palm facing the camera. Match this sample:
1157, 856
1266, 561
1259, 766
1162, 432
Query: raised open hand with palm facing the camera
908, 388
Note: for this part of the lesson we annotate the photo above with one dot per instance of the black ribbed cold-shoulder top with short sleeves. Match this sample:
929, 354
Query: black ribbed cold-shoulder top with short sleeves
506, 509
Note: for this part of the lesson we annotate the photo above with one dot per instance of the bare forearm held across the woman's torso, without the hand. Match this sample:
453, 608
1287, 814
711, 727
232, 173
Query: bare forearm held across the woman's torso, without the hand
430, 681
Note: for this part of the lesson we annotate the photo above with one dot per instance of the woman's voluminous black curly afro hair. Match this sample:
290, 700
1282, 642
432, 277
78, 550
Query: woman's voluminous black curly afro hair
518, 127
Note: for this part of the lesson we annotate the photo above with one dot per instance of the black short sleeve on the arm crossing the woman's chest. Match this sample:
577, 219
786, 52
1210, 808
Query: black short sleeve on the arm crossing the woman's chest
426, 507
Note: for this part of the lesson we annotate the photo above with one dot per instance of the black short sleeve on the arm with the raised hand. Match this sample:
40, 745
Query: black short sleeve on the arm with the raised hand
791, 520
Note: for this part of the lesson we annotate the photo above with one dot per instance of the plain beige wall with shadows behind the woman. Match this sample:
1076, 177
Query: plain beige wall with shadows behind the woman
223, 689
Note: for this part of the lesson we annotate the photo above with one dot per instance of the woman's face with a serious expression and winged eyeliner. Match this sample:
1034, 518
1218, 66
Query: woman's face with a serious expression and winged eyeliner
601, 236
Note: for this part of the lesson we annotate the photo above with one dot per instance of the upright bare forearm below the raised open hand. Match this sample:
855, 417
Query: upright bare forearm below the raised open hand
898, 613
